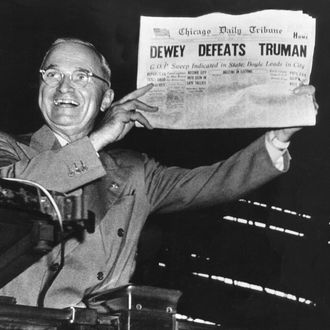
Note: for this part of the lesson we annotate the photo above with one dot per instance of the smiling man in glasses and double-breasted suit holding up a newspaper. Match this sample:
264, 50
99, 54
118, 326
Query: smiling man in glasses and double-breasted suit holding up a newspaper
121, 187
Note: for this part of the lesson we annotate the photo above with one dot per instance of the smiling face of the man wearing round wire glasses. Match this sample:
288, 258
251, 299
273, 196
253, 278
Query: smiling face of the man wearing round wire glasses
67, 109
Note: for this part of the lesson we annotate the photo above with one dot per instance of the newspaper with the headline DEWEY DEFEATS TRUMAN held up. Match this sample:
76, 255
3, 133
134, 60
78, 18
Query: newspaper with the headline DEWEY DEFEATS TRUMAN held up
227, 71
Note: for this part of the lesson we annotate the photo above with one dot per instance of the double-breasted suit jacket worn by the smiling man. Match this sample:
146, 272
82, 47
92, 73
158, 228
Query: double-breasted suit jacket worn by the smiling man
122, 188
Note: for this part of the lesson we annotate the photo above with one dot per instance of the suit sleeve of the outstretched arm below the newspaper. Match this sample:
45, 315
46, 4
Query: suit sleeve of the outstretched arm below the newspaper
173, 188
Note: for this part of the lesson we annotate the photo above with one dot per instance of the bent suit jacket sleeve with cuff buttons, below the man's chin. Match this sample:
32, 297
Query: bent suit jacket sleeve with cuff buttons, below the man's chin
62, 170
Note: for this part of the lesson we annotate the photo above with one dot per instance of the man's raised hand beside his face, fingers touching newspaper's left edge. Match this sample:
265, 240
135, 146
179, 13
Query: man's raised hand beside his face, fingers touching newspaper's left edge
120, 117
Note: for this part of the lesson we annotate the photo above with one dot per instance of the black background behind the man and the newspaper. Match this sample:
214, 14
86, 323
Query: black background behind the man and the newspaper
28, 28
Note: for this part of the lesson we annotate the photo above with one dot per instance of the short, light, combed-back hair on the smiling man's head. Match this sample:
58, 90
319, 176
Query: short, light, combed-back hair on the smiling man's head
105, 67
